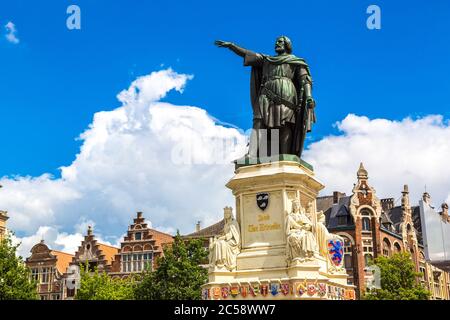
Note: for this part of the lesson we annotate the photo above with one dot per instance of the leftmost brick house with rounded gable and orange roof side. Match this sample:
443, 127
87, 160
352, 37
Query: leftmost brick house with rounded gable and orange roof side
47, 269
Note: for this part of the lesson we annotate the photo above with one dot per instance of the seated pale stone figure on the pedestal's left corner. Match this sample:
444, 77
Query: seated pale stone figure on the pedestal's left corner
224, 249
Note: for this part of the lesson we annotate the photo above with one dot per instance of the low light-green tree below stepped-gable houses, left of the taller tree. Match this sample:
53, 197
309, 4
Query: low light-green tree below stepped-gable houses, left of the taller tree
100, 286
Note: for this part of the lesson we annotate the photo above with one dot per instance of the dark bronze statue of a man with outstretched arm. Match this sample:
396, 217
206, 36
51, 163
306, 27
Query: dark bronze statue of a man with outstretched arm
281, 97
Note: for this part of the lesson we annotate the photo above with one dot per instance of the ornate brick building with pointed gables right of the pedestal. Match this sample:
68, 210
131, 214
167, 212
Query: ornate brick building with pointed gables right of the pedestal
372, 227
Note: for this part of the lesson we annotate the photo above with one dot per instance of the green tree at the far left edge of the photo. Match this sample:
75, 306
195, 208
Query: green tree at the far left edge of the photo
15, 279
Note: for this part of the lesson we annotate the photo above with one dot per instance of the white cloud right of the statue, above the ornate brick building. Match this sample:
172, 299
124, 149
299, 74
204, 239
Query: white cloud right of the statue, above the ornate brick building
411, 151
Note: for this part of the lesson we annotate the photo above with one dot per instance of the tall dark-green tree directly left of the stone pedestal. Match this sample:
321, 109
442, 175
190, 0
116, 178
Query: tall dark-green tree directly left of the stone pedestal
179, 274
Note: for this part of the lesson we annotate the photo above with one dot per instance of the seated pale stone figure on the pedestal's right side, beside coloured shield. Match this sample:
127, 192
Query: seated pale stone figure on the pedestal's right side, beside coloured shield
301, 242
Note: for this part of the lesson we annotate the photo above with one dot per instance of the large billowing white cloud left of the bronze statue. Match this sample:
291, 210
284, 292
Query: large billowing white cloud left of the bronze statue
171, 162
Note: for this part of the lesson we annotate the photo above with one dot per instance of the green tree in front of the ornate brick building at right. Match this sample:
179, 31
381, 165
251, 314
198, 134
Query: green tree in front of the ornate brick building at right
398, 279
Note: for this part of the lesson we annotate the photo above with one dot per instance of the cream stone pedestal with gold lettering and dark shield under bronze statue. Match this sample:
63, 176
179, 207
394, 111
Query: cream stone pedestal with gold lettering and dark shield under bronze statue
262, 264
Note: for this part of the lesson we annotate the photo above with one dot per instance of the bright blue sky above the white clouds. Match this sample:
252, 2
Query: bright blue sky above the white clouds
53, 81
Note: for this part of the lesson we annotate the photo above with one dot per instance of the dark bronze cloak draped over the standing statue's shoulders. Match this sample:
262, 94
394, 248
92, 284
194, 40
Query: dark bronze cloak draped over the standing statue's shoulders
303, 117
